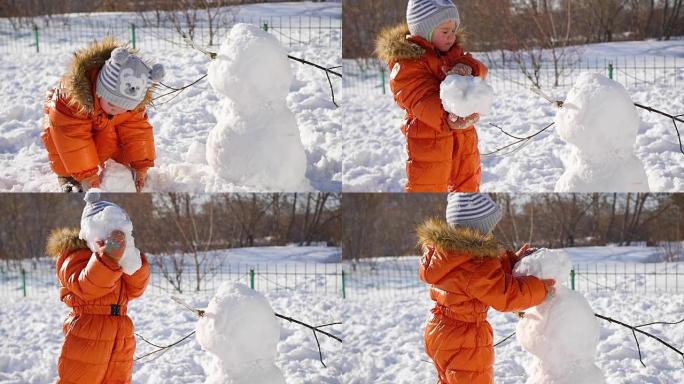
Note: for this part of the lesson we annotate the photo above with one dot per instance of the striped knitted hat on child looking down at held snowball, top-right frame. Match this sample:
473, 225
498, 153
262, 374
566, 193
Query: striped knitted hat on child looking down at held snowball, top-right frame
423, 16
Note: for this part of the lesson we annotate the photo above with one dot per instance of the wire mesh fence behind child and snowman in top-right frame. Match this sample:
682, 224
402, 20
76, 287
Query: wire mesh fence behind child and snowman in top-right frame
372, 76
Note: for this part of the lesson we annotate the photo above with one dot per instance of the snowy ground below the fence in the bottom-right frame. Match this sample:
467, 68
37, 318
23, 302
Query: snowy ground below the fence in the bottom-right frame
384, 340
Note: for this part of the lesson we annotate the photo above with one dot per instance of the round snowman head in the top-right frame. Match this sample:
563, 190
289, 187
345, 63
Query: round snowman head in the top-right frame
598, 117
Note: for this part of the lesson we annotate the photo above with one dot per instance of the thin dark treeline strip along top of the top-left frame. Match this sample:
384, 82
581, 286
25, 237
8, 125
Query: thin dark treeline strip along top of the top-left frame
30, 8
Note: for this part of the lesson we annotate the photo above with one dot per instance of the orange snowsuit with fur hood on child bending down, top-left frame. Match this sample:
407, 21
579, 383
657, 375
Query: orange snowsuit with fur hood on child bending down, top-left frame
79, 135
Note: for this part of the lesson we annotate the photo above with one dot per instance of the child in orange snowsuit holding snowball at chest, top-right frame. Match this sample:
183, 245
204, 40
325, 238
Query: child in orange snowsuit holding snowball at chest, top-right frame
442, 148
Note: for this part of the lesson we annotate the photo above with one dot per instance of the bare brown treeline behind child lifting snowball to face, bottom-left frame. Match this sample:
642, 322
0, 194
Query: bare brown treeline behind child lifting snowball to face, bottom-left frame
177, 222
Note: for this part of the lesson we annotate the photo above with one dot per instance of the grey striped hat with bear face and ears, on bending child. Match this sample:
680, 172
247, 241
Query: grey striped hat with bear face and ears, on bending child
125, 78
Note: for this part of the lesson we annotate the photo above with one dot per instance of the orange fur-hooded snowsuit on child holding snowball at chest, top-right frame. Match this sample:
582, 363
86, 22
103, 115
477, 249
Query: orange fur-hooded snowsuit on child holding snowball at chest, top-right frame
439, 159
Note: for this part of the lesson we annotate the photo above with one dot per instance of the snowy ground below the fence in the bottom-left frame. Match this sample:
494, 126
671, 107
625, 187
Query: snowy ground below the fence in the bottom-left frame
31, 331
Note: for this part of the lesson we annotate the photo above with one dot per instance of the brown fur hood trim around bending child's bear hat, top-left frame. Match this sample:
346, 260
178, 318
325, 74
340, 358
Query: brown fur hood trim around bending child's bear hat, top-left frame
78, 83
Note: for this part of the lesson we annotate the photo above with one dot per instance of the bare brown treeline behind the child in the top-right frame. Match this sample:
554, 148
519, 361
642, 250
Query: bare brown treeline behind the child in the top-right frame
514, 25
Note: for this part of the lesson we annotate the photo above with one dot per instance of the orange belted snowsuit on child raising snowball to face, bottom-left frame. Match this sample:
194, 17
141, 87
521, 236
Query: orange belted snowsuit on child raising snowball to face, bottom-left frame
98, 335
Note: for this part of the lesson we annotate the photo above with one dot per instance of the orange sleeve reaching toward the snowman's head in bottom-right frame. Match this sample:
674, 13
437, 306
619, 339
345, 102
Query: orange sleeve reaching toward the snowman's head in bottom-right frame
492, 285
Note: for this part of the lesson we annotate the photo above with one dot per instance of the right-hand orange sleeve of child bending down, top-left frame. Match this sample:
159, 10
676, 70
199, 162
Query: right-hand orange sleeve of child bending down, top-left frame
137, 137
